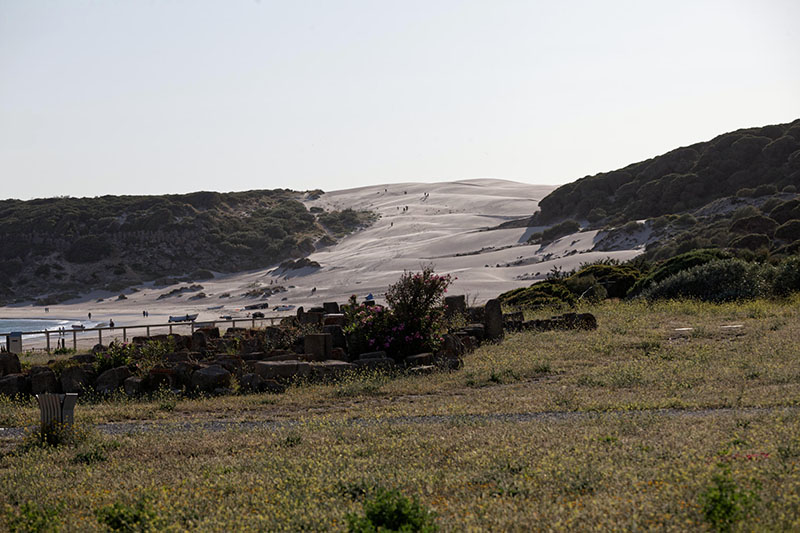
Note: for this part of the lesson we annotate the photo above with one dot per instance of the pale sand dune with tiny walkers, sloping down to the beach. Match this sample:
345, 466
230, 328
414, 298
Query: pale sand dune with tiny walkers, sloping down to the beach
443, 224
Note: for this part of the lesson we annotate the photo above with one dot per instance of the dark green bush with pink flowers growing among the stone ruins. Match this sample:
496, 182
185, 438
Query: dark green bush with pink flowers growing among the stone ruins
413, 323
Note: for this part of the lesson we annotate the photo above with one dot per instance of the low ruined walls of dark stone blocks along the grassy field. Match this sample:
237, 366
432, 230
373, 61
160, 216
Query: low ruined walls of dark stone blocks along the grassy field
208, 360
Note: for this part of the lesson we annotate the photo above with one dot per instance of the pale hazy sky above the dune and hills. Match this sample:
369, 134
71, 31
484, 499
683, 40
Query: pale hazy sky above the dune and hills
145, 97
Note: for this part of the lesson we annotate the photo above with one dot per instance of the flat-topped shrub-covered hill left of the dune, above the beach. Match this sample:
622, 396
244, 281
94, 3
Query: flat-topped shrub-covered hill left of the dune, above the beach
58, 247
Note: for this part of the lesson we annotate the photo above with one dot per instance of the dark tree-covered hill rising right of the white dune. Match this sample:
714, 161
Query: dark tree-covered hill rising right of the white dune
753, 161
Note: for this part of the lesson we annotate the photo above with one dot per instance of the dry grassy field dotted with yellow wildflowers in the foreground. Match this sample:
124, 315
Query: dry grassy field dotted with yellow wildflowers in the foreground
639, 425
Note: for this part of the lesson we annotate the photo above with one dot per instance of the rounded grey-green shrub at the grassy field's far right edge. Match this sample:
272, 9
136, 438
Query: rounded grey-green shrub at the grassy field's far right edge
717, 281
